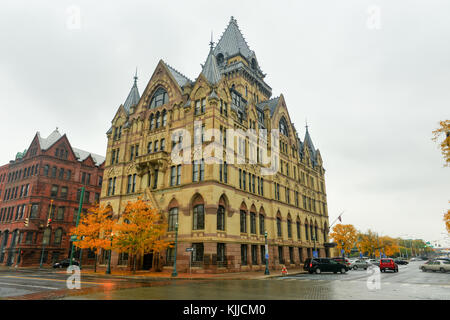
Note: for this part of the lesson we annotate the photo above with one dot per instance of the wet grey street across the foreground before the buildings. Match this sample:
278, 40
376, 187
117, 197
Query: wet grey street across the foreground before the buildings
408, 283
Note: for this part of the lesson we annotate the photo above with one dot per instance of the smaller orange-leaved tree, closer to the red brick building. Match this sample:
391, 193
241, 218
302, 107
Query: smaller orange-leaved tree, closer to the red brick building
94, 229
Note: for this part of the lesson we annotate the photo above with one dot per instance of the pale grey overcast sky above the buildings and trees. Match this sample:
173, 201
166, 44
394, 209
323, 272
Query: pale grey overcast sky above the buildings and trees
371, 89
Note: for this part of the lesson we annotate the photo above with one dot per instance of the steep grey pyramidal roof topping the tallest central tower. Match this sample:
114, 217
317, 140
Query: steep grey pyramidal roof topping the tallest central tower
232, 42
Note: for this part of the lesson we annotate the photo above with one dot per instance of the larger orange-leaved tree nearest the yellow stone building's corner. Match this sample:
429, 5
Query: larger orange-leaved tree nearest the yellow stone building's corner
141, 231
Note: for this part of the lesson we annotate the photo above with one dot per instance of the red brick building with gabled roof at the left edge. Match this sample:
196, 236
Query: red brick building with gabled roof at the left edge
45, 182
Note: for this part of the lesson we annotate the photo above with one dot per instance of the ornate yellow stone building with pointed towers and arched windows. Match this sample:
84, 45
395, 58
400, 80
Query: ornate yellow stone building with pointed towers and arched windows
223, 209
